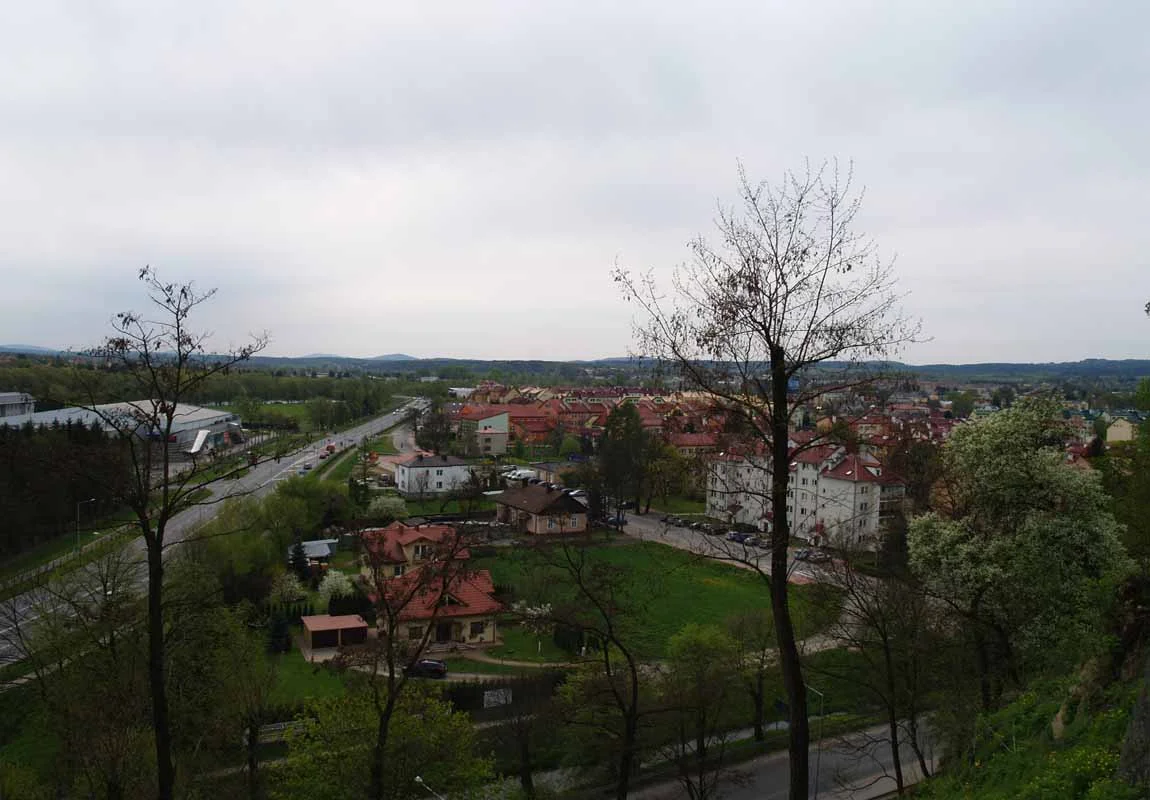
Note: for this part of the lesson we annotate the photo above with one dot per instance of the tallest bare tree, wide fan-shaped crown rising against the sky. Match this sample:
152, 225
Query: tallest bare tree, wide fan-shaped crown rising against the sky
792, 287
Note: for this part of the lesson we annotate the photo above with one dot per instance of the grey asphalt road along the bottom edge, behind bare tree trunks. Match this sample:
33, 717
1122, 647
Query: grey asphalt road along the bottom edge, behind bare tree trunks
855, 767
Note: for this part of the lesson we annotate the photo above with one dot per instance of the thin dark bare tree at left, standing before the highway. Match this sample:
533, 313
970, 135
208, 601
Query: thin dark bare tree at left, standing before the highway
167, 363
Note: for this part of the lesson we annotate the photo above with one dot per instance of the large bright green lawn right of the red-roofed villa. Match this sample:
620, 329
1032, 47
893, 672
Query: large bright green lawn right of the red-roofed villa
670, 589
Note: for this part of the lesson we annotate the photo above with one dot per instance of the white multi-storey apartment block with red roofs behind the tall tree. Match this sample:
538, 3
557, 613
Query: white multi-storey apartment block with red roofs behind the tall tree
833, 497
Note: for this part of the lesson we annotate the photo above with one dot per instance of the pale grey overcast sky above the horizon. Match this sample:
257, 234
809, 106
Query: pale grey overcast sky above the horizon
458, 179
